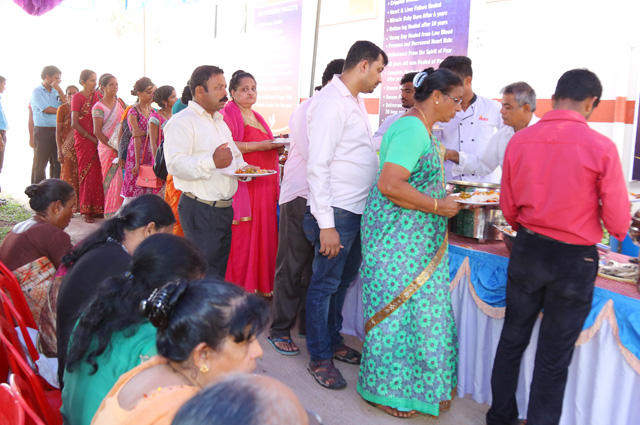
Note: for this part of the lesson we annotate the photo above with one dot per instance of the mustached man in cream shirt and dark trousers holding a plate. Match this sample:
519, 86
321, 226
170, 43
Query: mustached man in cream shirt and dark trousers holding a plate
202, 157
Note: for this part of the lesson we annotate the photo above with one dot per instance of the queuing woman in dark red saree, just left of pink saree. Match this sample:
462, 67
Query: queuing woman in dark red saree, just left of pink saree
91, 196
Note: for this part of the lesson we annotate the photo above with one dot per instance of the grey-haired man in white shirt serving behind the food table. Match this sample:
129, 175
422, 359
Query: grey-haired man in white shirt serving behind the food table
518, 106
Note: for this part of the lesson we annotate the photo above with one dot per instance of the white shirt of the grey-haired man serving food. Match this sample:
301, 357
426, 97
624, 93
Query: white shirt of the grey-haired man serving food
488, 161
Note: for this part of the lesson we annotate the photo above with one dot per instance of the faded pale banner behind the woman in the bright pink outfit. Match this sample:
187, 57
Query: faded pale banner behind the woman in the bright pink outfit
277, 61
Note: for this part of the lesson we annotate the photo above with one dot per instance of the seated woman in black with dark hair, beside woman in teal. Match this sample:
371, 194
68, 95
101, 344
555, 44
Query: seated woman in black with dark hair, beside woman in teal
105, 253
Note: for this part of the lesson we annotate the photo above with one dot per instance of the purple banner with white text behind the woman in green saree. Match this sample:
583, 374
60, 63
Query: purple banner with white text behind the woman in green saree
419, 34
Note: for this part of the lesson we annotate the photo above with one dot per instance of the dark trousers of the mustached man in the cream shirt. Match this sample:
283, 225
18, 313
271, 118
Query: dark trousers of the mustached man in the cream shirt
210, 229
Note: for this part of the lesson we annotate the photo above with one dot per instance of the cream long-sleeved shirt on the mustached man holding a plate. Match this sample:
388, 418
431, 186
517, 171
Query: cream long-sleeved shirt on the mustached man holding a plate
190, 138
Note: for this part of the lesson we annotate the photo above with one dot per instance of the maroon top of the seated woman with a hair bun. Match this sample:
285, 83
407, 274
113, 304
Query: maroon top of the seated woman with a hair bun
32, 239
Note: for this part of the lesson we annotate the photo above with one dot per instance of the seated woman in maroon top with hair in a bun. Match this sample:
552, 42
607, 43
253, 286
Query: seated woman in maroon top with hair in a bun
33, 249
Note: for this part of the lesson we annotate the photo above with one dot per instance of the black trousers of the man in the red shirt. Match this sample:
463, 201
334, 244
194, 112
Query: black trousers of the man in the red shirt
557, 278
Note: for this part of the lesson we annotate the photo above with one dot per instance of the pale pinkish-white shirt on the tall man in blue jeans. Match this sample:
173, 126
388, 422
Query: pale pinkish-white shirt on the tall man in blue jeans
342, 163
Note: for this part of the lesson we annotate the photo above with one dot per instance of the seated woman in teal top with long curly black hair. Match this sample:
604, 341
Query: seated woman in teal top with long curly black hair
111, 337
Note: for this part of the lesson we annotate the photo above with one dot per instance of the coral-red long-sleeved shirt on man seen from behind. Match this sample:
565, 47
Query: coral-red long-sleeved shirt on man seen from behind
560, 178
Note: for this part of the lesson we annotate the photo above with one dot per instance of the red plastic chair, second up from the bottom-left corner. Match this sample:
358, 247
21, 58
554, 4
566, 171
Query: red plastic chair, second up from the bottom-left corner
28, 385
